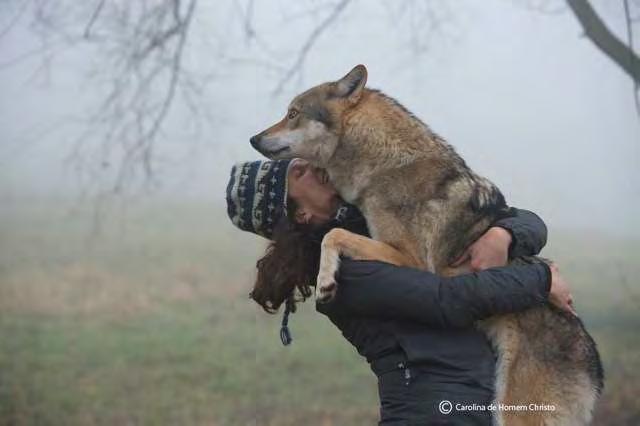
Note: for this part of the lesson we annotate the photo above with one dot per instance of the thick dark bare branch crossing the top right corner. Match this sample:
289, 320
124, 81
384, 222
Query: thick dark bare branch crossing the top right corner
605, 40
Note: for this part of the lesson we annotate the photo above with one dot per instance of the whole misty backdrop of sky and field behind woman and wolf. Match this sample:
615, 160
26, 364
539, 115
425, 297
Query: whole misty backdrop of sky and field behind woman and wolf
123, 282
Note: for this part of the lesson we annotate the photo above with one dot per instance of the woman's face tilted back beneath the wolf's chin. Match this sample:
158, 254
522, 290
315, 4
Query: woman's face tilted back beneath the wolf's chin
316, 200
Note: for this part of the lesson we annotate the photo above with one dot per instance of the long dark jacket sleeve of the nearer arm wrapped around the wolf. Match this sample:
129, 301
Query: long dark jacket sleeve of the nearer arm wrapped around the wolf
384, 291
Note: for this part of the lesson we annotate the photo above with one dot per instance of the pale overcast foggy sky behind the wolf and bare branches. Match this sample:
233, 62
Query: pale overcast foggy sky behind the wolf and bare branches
523, 97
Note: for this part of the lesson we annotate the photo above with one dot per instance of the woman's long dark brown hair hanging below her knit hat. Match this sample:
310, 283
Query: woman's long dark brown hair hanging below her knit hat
290, 262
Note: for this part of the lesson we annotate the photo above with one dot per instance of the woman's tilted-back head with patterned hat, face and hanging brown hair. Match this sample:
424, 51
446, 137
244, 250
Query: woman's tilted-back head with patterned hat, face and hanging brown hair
291, 203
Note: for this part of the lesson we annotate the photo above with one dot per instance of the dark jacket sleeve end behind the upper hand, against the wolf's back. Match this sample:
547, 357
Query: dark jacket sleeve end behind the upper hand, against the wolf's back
528, 232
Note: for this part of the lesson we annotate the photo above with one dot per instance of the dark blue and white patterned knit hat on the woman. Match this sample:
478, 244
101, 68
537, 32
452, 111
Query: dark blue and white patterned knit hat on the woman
257, 195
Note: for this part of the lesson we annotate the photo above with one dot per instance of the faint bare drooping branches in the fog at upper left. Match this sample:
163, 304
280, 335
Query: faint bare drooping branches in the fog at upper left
145, 44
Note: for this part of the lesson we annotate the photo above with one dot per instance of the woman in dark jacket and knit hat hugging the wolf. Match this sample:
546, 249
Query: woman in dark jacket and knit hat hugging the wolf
414, 328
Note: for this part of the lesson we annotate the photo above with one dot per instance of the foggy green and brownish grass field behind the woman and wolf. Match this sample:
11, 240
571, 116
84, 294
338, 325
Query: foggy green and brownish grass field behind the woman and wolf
150, 323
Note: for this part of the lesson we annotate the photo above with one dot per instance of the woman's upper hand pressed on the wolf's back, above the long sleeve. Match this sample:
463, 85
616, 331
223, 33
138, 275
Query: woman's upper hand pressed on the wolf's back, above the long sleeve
489, 251
